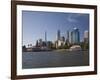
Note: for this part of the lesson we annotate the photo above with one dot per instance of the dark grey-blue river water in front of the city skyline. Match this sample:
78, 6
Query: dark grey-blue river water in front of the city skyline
54, 59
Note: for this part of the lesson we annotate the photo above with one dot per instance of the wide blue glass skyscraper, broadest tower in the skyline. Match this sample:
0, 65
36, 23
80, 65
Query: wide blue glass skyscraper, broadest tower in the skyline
75, 36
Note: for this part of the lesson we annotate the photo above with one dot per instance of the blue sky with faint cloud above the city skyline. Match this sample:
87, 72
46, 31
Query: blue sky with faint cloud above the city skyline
36, 23
